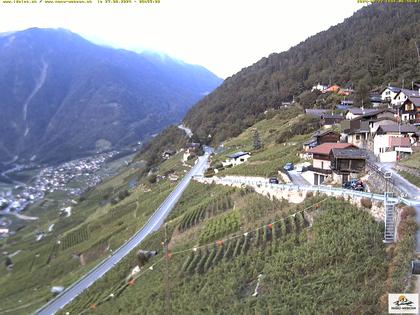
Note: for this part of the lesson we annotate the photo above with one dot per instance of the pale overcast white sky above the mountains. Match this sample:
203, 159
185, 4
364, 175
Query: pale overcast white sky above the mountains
222, 35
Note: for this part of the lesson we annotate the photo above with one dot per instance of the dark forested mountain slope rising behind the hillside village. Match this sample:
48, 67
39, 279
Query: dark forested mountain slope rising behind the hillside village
378, 45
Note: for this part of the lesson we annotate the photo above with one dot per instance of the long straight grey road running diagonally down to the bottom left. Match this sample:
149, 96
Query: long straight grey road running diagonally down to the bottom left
154, 222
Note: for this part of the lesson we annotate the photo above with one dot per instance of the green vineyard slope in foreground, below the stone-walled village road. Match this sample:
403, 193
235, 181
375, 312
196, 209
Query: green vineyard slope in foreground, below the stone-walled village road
328, 247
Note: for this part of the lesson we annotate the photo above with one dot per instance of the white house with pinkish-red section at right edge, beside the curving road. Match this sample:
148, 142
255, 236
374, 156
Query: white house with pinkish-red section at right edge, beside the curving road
387, 145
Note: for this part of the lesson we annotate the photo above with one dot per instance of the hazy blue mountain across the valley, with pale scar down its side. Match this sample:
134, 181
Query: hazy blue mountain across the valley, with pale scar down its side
62, 96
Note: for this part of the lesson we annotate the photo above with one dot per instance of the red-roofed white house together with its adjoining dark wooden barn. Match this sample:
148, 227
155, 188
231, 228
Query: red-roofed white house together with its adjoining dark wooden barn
336, 162
